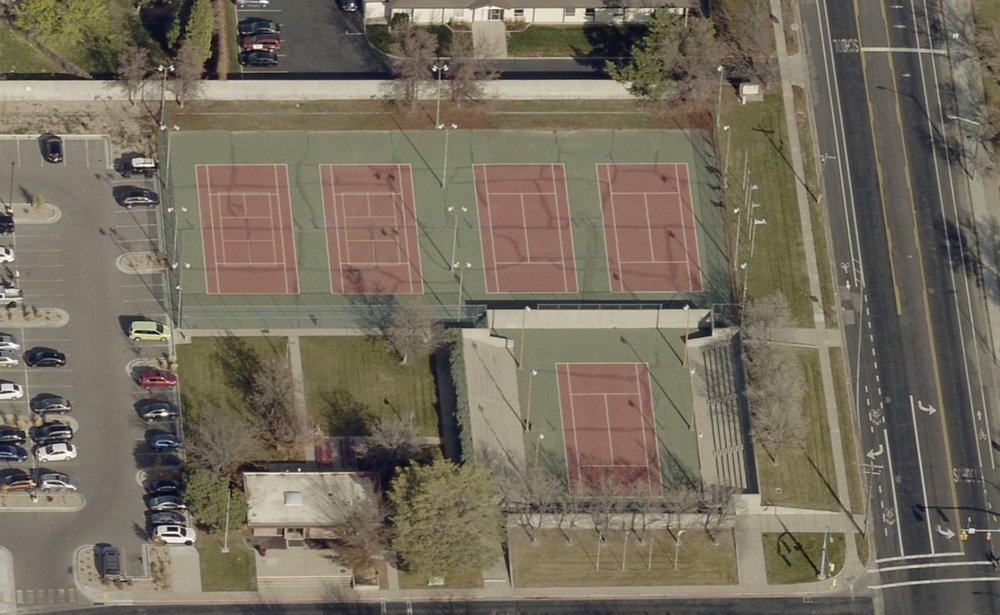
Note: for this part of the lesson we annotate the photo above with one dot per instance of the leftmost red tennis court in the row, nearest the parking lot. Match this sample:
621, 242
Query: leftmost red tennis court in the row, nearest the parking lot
248, 241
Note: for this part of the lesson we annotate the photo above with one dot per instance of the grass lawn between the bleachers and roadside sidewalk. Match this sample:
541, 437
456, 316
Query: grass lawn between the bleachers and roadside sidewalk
803, 477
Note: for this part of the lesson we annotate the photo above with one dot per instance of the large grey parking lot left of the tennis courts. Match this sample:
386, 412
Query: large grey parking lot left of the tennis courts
71, 264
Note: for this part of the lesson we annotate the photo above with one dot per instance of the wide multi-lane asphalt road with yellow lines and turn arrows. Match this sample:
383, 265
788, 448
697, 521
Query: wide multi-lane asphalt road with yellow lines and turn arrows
914, 317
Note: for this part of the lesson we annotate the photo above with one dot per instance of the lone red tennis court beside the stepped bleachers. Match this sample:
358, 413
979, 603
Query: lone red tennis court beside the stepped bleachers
607, 412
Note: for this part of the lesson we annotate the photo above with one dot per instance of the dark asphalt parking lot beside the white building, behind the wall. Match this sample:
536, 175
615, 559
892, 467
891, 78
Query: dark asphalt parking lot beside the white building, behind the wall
318, 39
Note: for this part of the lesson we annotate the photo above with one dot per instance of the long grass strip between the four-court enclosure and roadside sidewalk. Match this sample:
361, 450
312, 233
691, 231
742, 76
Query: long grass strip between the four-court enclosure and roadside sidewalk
759, 144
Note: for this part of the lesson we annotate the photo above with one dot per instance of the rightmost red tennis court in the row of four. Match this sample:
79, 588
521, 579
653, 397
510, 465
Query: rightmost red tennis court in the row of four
649, 228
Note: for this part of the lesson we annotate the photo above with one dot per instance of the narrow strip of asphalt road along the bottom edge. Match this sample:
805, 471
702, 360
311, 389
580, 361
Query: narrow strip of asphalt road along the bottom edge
747, 606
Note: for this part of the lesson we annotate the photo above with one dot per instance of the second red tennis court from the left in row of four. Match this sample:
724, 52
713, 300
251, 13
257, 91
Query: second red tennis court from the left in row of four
371, 229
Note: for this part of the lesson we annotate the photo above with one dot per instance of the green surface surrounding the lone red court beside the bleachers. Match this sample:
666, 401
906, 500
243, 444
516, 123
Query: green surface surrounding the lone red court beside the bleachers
669, 383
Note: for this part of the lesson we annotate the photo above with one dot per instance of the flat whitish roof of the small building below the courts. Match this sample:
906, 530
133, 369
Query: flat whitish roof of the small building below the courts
303, 499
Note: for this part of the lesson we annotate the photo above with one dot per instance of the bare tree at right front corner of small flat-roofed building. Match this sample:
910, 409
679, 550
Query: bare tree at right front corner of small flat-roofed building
361, 530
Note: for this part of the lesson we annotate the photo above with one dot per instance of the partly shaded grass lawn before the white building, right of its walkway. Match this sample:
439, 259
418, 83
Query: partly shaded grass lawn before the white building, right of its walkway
599, 41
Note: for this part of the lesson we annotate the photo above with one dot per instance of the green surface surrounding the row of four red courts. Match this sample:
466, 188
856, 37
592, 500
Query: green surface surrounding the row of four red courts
444, 236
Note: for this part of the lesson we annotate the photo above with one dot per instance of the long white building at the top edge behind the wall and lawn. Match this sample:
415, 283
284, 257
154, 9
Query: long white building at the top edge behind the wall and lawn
548, 12
